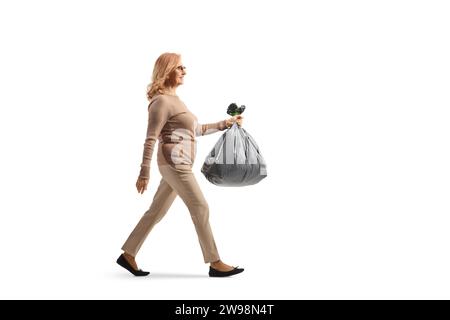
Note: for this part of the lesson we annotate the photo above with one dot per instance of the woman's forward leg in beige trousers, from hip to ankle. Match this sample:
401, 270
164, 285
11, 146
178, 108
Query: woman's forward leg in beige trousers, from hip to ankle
182, 180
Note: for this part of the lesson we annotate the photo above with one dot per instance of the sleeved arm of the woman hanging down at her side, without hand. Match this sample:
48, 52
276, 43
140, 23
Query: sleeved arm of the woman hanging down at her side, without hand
158, 114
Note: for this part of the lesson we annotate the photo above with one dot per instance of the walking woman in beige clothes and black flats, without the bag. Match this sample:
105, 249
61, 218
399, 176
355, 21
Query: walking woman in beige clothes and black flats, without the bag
175, 127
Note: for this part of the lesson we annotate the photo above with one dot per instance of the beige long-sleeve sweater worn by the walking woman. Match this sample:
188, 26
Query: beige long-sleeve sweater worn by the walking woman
175, 127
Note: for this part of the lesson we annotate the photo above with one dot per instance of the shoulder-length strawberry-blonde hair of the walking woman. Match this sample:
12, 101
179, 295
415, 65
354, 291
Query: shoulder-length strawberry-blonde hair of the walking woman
163, 74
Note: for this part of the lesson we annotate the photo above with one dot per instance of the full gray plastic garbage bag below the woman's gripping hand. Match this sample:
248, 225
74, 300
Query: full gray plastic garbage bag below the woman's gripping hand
235, 160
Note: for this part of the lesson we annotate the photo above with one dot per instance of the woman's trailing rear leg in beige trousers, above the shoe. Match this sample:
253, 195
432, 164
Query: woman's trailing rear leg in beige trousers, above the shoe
162, 201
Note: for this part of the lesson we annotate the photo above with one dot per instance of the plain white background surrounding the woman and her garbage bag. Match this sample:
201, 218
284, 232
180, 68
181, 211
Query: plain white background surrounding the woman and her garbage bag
347, 100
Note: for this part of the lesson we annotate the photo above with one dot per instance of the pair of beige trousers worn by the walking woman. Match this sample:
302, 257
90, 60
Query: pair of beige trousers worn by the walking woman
176, 180
